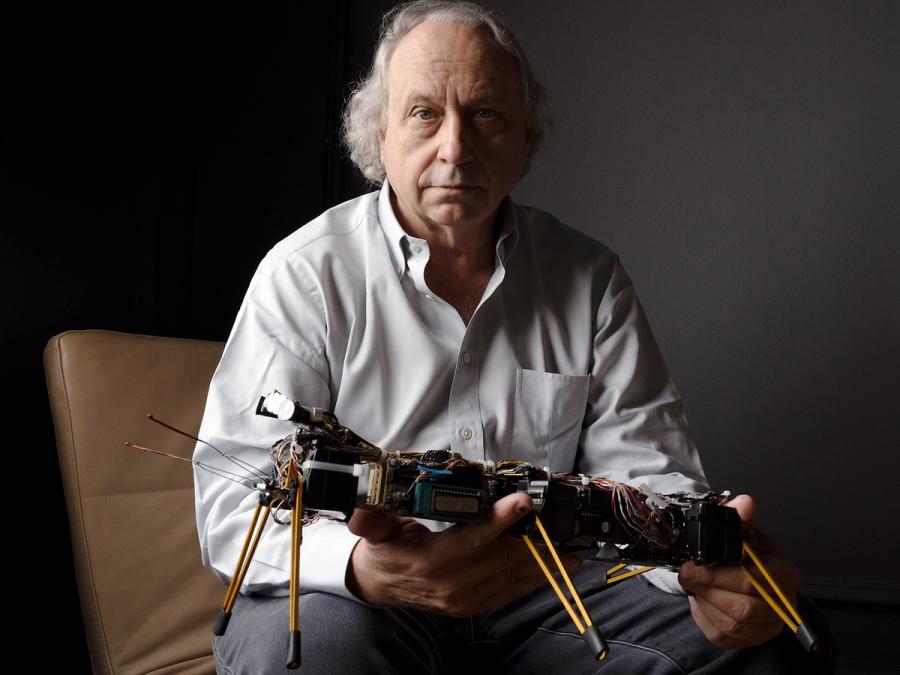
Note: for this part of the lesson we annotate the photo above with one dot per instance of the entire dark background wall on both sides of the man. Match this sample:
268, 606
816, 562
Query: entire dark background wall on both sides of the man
741, 157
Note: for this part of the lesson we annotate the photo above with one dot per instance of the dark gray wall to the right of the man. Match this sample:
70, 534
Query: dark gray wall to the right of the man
744, 160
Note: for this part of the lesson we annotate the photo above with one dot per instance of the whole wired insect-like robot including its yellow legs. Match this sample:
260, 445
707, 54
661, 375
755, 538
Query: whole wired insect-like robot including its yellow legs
318, 469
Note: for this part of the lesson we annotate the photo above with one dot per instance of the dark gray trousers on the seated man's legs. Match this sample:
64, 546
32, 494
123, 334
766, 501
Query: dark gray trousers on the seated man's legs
649, 632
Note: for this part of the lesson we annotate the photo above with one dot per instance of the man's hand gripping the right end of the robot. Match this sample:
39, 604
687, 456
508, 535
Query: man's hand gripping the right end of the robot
725, 605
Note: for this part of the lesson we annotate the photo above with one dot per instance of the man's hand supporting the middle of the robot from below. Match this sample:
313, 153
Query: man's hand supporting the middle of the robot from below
467, 569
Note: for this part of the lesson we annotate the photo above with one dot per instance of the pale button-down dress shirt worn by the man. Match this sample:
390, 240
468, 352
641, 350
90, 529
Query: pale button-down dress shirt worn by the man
557, 367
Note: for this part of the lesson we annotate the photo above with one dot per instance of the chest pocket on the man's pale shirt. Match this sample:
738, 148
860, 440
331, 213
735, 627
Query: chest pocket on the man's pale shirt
548, 416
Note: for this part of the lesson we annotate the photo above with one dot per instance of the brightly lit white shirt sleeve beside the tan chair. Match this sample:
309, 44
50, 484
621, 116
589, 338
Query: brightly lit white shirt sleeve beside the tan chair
277, 342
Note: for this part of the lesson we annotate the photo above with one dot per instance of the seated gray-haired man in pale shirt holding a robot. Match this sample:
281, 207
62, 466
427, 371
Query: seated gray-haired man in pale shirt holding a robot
437, 313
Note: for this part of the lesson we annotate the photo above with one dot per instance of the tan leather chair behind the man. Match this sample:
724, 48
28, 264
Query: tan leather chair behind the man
147, 601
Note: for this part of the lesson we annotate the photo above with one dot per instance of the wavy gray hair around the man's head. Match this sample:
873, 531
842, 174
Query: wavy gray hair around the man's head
365, 114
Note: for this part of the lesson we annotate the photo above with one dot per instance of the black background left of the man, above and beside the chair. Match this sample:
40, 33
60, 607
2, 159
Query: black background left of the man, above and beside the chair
153, 154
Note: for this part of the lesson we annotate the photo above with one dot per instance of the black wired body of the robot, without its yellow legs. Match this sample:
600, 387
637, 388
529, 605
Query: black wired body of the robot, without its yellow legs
631, 524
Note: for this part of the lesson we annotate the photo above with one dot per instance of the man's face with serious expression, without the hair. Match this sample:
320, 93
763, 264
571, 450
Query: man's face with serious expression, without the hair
457, 139
